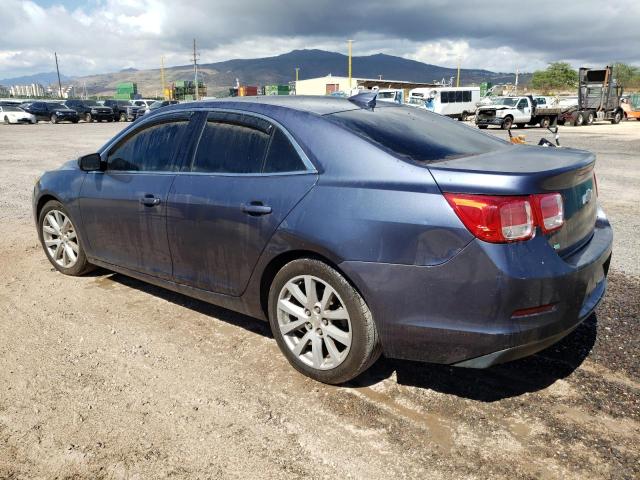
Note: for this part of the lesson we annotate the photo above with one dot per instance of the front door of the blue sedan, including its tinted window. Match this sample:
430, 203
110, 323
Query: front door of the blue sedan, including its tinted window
124, 208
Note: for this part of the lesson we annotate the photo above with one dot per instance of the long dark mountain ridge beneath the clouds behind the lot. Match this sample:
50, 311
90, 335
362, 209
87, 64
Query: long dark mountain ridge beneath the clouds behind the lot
281, 69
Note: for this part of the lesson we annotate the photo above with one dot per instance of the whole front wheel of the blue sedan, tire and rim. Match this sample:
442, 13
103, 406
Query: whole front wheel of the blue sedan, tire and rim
60, 240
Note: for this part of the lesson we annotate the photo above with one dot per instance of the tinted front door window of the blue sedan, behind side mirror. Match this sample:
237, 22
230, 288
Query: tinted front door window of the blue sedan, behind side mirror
151, 149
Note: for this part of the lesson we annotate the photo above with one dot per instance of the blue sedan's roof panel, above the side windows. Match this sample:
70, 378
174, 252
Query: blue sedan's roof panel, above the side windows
319, 105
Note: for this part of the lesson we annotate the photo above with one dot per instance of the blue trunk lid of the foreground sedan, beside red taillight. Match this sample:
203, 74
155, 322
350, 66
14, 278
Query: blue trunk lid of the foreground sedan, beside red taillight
525, 170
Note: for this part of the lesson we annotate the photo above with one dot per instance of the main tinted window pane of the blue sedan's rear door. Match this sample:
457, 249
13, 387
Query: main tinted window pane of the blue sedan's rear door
232, 143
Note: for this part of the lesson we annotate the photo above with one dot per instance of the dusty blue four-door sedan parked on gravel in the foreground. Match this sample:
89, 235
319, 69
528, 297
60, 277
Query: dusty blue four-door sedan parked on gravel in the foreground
354, 228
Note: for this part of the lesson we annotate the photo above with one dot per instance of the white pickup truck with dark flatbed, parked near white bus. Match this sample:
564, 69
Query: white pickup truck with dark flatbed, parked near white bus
504, 112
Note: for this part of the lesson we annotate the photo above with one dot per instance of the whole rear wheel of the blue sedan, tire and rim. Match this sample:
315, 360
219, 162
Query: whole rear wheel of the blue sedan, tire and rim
321, 323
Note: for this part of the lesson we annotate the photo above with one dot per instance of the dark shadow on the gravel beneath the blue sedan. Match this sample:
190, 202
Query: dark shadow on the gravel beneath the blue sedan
487, 385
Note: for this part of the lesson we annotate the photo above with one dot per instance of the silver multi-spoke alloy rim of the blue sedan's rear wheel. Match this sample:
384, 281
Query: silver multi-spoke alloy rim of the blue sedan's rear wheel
314, 322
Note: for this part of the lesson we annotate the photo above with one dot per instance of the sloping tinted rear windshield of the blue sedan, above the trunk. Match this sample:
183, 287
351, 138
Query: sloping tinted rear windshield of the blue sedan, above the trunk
415, 134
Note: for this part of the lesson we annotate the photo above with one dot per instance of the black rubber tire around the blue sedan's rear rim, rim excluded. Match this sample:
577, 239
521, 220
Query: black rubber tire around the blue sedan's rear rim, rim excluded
365, 344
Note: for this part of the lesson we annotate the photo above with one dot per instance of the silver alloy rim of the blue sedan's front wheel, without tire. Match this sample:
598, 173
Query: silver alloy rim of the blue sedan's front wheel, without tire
60, 238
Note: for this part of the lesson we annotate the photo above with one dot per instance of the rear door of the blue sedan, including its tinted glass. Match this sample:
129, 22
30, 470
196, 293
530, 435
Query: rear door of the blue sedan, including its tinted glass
245, 177
